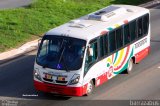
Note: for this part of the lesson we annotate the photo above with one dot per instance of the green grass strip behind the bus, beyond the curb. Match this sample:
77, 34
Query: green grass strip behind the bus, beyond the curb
20, 25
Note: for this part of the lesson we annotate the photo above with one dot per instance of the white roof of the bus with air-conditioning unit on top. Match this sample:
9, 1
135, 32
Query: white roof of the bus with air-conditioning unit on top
99, 22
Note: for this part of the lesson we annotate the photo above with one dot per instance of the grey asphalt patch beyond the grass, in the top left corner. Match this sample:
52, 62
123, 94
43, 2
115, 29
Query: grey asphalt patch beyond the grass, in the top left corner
13, 3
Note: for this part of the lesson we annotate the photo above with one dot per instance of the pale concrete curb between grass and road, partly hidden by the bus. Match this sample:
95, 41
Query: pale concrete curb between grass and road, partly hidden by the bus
33, 45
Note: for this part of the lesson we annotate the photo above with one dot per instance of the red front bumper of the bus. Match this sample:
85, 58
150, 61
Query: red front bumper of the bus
60, 89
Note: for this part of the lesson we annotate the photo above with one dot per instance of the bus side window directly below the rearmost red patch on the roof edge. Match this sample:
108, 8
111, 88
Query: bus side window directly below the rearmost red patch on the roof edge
126, 34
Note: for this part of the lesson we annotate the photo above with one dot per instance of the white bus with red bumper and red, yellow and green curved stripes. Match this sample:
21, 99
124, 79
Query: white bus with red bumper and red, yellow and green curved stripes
84, 53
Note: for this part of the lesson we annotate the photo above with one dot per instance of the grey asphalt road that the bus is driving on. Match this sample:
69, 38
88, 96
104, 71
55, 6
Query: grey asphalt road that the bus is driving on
16, 80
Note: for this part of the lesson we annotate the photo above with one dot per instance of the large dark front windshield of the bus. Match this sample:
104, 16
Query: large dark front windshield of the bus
62, 53
